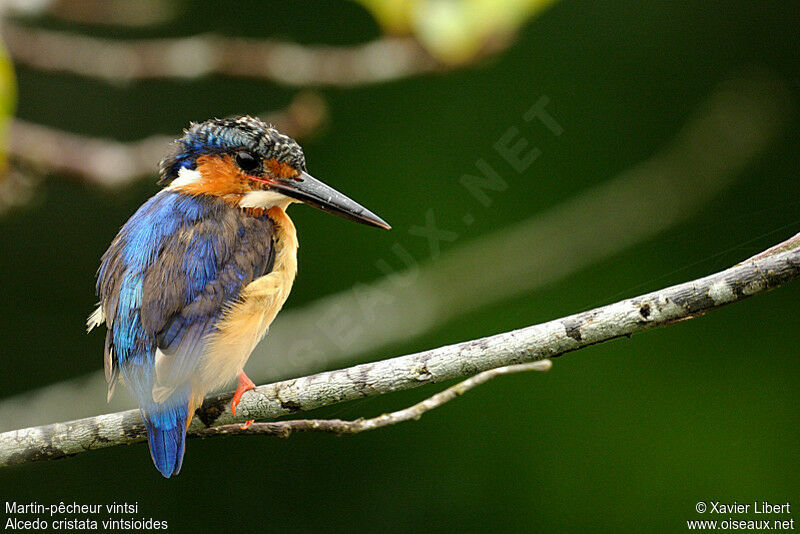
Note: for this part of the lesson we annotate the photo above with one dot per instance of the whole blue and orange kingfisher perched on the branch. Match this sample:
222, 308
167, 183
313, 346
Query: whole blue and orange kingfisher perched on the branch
194, 278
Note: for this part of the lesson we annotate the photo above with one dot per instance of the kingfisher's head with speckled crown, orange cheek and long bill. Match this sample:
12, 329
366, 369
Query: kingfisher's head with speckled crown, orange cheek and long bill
250, 164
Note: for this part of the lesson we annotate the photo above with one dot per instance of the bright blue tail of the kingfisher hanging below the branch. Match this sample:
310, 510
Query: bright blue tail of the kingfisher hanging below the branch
166, 432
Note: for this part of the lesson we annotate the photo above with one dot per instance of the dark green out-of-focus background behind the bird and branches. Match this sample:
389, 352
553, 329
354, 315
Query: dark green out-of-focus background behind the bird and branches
624, 436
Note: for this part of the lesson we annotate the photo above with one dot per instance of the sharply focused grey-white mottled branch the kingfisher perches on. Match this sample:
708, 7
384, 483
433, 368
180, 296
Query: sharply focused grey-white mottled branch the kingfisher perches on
547, 340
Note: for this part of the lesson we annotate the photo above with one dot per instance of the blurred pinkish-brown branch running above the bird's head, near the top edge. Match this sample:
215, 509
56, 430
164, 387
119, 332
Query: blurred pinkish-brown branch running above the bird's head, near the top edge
120, 61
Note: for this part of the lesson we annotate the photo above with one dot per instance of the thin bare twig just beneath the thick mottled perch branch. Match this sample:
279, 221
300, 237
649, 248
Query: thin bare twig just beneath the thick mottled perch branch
284, 429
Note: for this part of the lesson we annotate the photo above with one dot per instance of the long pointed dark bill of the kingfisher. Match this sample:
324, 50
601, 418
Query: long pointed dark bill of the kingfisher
311, 191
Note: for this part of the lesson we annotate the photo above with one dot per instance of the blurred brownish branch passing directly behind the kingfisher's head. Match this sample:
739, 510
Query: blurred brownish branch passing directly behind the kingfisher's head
112, 163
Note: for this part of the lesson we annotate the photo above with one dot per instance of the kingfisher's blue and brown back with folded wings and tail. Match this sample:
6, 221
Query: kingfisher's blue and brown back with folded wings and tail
164, 283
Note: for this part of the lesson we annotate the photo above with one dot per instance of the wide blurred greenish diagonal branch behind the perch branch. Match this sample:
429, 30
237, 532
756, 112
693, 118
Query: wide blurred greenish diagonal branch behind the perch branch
734, 126
